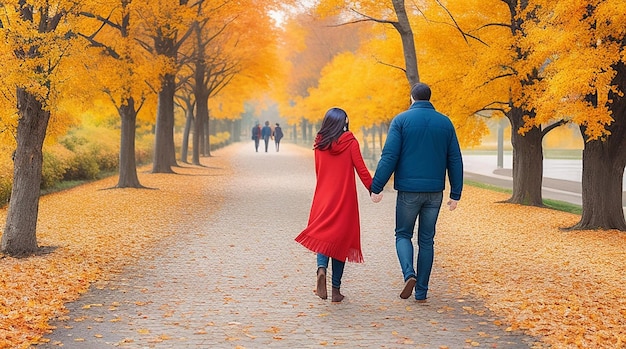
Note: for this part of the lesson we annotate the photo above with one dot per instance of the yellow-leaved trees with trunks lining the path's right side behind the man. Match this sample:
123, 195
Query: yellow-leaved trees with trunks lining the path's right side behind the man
515, 59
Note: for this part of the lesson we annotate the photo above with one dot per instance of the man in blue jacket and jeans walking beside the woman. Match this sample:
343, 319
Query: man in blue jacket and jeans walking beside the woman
420, 148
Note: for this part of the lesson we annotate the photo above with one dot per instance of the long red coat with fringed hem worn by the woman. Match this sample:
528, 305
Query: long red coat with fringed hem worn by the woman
334, 228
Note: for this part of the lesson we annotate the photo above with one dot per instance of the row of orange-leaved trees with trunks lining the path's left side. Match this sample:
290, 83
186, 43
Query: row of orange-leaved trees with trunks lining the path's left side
131, 52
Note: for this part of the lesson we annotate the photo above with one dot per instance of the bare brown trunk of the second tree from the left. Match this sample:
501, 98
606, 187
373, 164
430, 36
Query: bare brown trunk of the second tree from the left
128, 165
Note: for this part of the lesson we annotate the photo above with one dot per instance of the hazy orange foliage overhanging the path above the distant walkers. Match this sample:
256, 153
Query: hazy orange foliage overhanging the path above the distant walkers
248, 45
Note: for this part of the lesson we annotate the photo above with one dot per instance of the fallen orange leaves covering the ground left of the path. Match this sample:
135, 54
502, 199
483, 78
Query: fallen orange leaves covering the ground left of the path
106, 230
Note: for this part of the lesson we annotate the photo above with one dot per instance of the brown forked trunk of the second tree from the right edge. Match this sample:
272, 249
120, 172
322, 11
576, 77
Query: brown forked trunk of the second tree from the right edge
527, 162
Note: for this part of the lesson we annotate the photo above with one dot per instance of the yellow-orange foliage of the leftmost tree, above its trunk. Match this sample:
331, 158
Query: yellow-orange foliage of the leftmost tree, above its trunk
36, 56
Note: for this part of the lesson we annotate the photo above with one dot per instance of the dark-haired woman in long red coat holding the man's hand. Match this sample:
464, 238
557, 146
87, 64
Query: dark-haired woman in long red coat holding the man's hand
333, 230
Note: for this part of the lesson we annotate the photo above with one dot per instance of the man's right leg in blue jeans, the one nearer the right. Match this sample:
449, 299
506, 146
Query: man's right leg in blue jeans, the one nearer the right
426, 241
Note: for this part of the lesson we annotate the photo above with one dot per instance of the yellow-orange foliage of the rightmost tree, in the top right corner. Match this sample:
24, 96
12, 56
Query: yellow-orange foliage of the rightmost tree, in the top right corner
580, 44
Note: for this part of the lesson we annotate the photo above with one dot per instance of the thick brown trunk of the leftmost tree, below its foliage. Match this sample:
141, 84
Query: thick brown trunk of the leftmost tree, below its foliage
20, 233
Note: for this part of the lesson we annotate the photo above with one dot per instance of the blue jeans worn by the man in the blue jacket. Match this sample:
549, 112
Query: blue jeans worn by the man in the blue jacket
410, 206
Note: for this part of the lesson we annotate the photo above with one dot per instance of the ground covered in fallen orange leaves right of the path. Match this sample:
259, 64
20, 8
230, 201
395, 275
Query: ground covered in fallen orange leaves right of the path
567, 286
